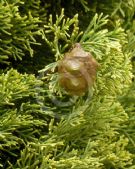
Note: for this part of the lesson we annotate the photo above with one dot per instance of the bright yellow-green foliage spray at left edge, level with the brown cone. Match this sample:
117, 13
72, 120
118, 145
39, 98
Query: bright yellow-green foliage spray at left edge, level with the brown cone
15, 86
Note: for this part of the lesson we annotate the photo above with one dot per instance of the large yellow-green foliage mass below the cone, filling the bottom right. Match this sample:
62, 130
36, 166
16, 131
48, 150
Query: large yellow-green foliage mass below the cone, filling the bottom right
101, 146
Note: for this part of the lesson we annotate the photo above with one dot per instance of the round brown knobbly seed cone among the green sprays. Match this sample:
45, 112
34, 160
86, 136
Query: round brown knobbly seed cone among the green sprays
77, 71
